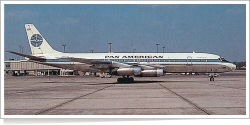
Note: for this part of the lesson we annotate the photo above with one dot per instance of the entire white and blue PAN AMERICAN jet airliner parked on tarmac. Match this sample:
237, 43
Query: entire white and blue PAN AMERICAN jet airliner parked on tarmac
125, 65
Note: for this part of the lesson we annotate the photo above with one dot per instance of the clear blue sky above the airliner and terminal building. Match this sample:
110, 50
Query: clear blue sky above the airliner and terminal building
211, 28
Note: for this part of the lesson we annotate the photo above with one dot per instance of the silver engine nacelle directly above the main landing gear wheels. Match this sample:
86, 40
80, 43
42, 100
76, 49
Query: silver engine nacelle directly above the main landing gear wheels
129, 71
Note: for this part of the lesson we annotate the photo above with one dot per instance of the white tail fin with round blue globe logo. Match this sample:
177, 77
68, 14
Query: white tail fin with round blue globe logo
38, 44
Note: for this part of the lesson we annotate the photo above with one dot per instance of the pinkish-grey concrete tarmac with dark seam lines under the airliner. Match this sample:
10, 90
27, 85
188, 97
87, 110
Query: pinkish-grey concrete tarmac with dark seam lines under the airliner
89, 95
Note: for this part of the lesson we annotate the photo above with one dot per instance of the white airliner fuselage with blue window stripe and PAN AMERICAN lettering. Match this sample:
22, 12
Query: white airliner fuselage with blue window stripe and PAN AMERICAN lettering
169, 62
